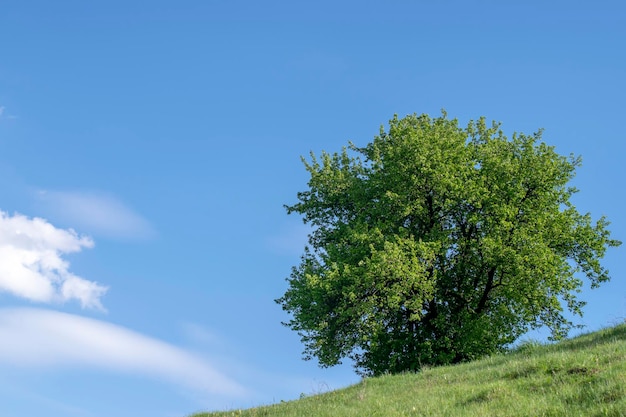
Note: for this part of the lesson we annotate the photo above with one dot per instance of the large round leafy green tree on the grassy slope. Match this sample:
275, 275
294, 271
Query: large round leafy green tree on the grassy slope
437, 244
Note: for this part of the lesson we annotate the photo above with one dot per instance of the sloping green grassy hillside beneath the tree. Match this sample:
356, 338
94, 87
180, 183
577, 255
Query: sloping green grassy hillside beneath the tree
584, 376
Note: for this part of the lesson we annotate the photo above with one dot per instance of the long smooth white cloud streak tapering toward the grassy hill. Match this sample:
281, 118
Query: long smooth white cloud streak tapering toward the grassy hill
36, 338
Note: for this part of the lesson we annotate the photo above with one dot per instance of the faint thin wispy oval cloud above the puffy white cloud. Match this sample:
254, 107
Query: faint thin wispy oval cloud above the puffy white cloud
95, 213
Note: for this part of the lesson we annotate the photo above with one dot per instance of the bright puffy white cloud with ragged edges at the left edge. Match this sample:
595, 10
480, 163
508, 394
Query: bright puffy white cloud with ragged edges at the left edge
31, 263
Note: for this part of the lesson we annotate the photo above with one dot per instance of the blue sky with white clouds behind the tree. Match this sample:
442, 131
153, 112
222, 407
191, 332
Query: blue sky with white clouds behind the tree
147, 150
